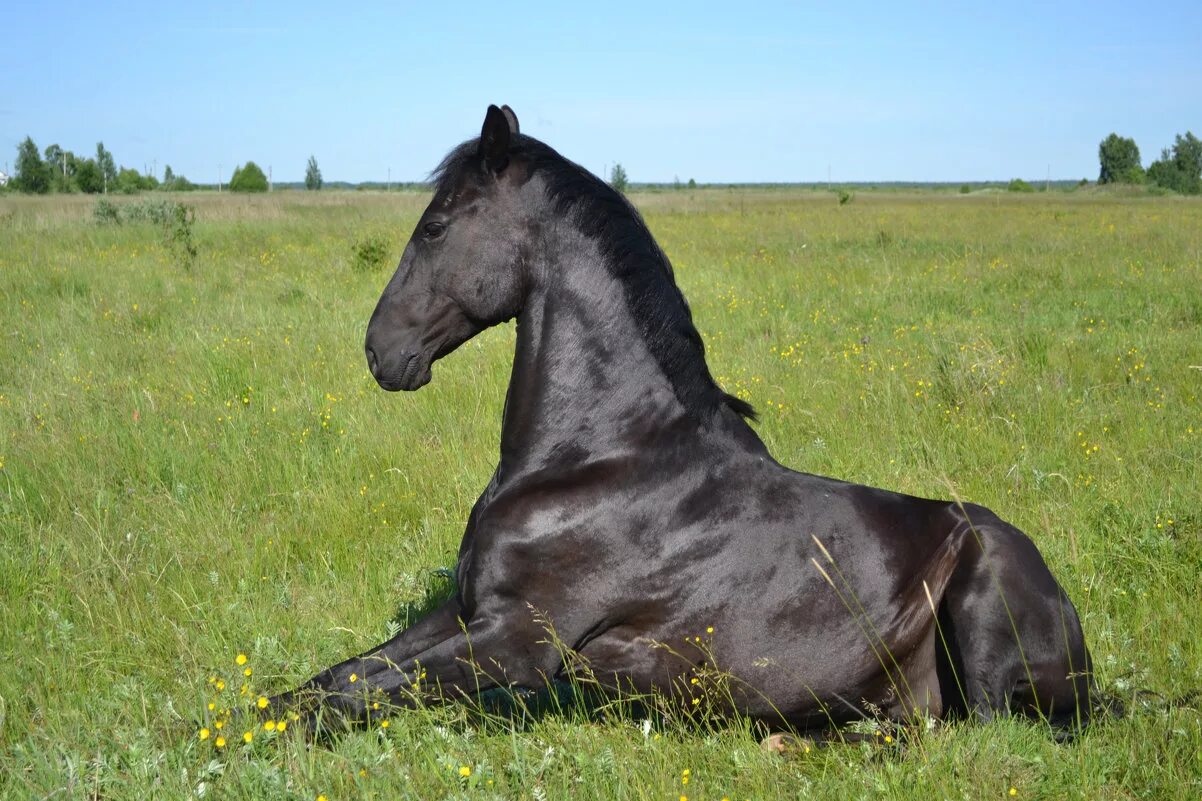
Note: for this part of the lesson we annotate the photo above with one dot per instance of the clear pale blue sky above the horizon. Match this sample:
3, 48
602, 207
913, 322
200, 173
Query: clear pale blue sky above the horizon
721, 92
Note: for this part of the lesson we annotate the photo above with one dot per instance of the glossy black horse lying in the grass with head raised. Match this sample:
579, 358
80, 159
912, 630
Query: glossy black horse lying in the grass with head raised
636, 513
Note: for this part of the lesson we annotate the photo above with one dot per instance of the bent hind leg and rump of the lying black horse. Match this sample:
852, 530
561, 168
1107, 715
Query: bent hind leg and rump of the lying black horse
1011, 640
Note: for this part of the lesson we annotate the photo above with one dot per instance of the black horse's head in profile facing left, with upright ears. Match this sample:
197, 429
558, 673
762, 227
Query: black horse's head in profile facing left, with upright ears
462, 270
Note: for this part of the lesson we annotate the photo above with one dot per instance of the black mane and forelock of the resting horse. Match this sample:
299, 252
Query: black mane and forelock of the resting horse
632, 256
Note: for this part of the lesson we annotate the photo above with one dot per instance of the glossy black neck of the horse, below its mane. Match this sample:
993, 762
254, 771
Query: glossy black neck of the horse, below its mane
586, 385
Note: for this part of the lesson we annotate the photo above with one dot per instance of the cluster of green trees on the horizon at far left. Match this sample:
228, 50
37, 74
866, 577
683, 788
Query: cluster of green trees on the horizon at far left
56, 170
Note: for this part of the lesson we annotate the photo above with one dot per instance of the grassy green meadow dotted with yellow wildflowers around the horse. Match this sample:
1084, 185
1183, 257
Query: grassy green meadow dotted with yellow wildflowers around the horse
205, 497
